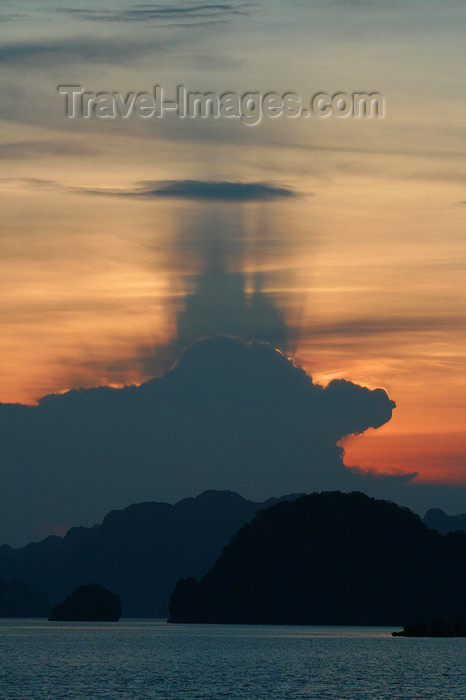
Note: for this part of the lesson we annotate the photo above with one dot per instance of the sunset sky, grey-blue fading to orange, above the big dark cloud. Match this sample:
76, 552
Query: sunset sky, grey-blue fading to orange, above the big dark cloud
365, 255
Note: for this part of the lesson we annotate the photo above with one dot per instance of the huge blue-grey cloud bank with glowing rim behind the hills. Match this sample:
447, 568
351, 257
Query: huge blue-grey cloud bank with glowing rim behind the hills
229, 415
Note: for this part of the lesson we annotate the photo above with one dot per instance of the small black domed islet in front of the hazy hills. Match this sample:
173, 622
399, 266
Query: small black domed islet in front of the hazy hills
89, 603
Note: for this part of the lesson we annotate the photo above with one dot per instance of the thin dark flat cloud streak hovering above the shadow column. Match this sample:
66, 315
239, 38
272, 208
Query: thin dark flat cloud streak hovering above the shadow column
200, 190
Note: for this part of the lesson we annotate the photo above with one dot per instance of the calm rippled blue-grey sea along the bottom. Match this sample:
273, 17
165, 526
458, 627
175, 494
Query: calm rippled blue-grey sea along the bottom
151, 659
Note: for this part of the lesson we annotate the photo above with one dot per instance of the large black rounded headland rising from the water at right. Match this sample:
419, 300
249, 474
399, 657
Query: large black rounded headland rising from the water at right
330, 559
